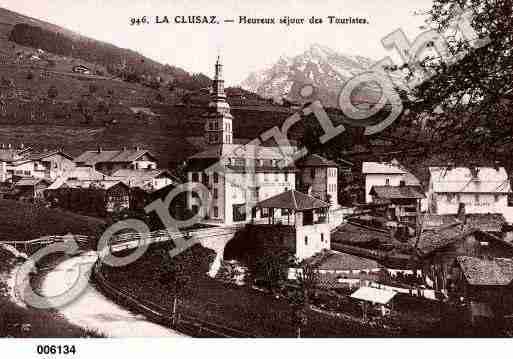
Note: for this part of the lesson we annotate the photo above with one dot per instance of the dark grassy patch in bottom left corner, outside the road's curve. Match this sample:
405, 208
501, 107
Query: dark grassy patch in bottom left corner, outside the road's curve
25, 322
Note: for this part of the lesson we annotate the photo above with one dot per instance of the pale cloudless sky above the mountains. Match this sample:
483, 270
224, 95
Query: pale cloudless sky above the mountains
244, 48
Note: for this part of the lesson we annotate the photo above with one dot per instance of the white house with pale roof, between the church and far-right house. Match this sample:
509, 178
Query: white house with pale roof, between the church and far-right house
386, 174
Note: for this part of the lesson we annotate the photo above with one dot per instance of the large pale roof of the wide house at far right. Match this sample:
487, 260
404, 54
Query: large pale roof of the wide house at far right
467, 180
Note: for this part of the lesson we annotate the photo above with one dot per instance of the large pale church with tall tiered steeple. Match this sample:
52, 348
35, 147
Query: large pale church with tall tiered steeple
238, 176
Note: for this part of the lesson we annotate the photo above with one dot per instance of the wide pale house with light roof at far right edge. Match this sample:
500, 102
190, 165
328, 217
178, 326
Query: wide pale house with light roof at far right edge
480, 189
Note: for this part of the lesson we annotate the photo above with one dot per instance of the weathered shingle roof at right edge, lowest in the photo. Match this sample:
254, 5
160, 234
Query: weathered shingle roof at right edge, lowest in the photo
477, 271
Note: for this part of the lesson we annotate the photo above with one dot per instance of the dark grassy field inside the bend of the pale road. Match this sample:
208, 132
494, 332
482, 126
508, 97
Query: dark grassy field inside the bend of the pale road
240, 308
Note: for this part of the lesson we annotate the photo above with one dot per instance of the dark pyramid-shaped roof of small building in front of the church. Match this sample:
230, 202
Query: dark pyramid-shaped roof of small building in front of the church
294, 200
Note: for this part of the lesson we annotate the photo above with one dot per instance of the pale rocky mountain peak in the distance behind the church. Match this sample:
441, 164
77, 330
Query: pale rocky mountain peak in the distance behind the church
320, 66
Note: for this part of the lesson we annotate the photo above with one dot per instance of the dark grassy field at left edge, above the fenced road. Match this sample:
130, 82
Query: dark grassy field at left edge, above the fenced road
24, 221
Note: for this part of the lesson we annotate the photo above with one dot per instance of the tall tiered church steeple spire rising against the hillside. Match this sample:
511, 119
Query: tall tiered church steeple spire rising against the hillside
218, 127
